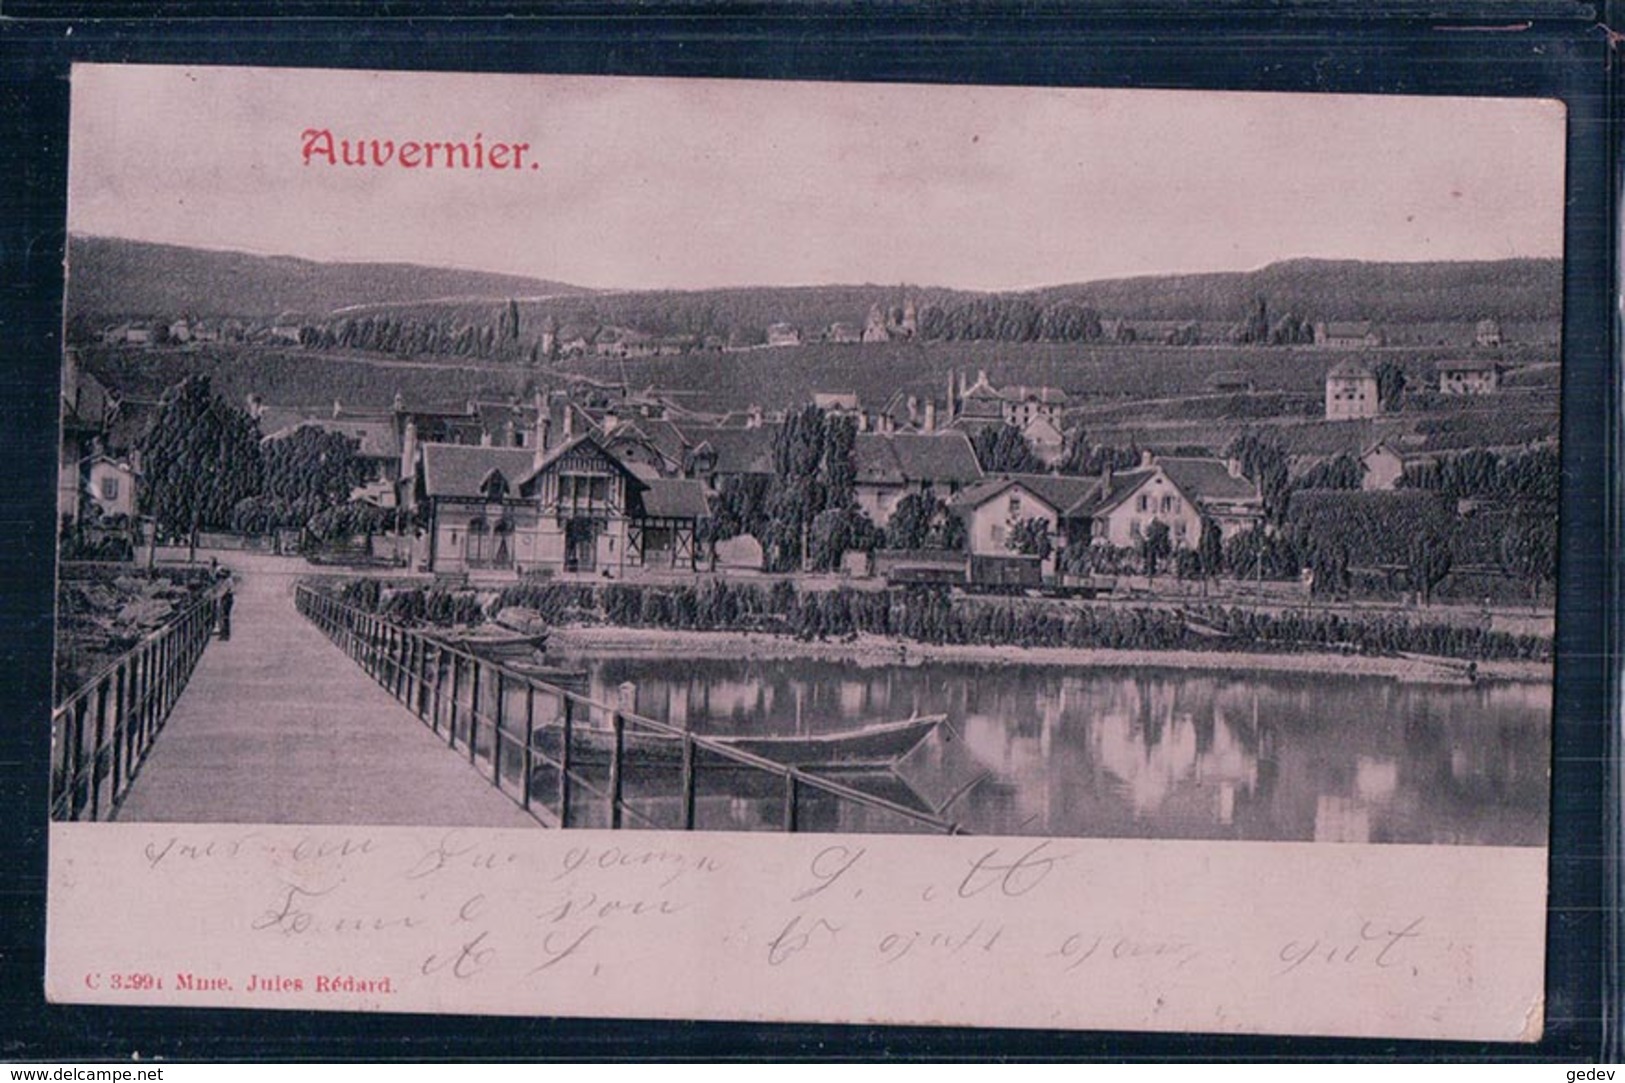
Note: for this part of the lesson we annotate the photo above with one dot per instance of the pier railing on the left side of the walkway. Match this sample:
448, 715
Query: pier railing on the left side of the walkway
103, 731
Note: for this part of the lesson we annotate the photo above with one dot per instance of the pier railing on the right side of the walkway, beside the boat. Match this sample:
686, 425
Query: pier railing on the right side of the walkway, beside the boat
576, 763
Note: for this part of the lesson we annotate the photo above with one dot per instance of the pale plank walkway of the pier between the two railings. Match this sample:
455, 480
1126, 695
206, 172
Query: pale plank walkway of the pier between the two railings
277, 726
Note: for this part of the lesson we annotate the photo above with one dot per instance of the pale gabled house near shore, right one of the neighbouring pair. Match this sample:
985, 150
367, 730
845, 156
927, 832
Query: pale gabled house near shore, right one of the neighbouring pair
1179, 492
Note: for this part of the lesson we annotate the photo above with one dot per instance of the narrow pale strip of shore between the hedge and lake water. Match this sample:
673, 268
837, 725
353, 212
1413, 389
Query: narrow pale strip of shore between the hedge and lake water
872, 651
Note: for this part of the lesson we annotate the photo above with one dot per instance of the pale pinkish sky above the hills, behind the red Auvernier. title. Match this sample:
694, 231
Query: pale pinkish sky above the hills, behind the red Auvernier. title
704, 183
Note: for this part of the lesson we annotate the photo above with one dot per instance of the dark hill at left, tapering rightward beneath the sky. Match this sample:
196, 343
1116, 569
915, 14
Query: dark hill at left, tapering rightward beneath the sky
113, 279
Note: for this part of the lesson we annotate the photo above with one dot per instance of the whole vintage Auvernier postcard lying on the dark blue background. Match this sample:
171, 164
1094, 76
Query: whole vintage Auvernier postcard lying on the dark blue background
745, 550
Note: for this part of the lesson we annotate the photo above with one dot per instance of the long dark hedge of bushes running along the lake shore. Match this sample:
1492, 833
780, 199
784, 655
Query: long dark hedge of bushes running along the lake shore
940, 619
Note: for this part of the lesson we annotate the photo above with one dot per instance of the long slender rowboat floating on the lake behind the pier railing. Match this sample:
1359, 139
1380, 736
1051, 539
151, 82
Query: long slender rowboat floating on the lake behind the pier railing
865, 749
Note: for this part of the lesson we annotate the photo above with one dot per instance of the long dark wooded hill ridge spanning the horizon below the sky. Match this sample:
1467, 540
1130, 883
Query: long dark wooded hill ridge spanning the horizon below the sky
116, 279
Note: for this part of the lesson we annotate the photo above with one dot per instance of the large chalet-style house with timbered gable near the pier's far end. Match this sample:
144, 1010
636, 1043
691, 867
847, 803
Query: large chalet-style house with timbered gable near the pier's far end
573, 508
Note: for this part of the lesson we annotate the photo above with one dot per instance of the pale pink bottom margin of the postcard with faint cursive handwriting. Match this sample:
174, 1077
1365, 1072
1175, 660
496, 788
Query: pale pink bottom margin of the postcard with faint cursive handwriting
1002, 933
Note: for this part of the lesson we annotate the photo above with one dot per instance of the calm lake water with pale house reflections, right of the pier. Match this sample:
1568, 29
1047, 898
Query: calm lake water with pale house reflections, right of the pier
1142, 754
